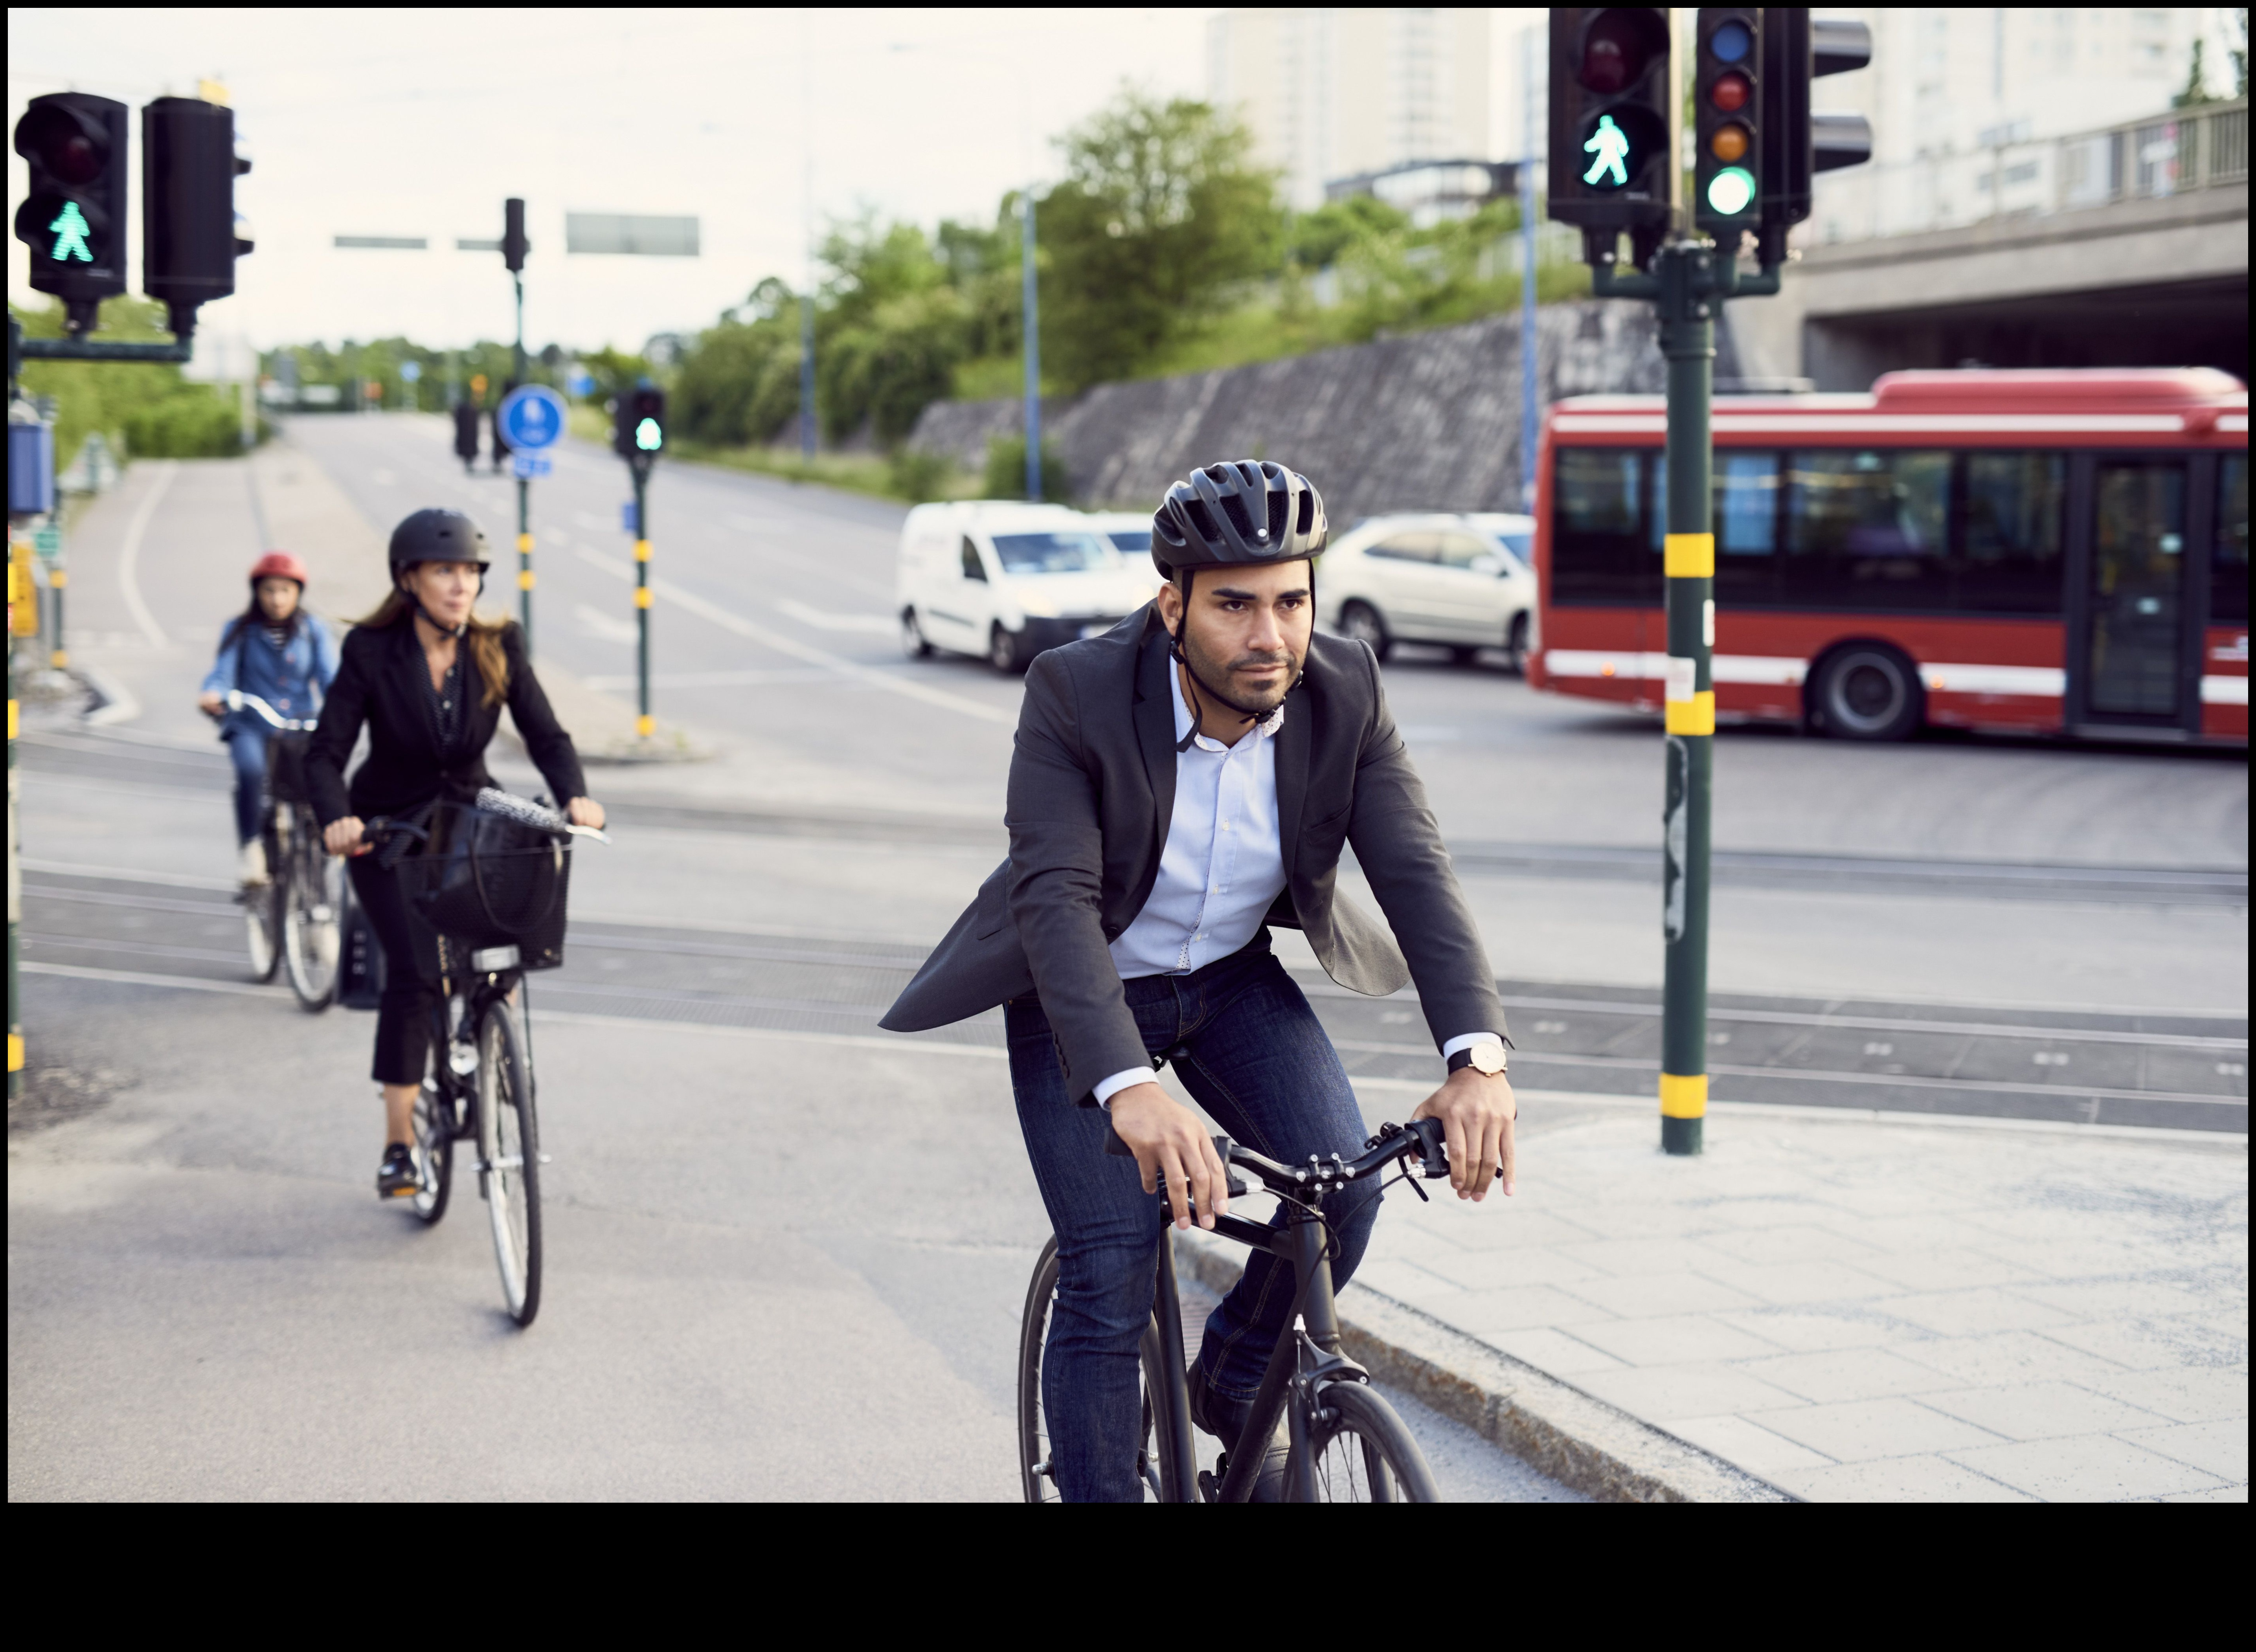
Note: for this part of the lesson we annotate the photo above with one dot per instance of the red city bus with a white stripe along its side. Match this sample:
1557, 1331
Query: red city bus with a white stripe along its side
2032, 552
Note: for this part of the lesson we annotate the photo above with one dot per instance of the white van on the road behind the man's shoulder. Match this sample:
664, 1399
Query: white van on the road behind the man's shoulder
1005, 581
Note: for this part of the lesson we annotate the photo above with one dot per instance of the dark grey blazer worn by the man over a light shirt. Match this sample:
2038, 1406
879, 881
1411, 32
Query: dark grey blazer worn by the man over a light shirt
1093, 791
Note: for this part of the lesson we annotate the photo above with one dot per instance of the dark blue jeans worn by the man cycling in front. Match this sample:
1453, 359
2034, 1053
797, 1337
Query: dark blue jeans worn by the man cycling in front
1246, 1044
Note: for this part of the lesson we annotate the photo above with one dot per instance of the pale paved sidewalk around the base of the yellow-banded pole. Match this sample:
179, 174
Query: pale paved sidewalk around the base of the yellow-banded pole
1867, 1310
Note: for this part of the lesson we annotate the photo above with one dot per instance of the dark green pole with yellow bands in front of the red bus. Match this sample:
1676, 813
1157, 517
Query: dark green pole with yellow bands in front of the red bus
1686, 285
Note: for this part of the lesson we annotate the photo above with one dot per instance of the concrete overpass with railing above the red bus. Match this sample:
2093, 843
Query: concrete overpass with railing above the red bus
2140, 281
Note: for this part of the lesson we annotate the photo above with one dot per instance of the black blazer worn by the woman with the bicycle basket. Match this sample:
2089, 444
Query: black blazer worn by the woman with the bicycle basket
382, 683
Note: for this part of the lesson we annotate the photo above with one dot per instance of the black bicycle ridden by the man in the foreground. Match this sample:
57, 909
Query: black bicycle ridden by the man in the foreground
1348, 1445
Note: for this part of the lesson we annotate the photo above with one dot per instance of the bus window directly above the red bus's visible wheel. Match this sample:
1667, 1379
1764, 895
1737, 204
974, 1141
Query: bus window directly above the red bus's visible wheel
1867, 529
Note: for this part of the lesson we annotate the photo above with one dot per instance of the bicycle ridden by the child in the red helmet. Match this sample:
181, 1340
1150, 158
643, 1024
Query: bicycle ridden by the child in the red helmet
297, 917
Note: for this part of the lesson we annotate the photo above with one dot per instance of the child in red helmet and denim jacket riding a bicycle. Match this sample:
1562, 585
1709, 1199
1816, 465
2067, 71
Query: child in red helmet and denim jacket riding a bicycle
283, 656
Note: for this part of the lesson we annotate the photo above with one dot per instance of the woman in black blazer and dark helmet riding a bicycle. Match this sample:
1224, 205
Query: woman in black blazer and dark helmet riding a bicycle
430, 680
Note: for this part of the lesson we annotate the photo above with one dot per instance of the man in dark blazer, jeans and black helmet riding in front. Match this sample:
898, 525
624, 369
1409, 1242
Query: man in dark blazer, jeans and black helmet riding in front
1181, 787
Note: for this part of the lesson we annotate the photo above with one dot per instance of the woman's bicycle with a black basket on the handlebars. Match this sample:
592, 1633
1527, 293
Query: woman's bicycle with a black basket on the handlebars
491, 881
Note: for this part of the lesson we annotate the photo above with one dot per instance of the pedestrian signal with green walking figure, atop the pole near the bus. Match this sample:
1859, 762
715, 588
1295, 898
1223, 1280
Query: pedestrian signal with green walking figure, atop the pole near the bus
1610, 125
